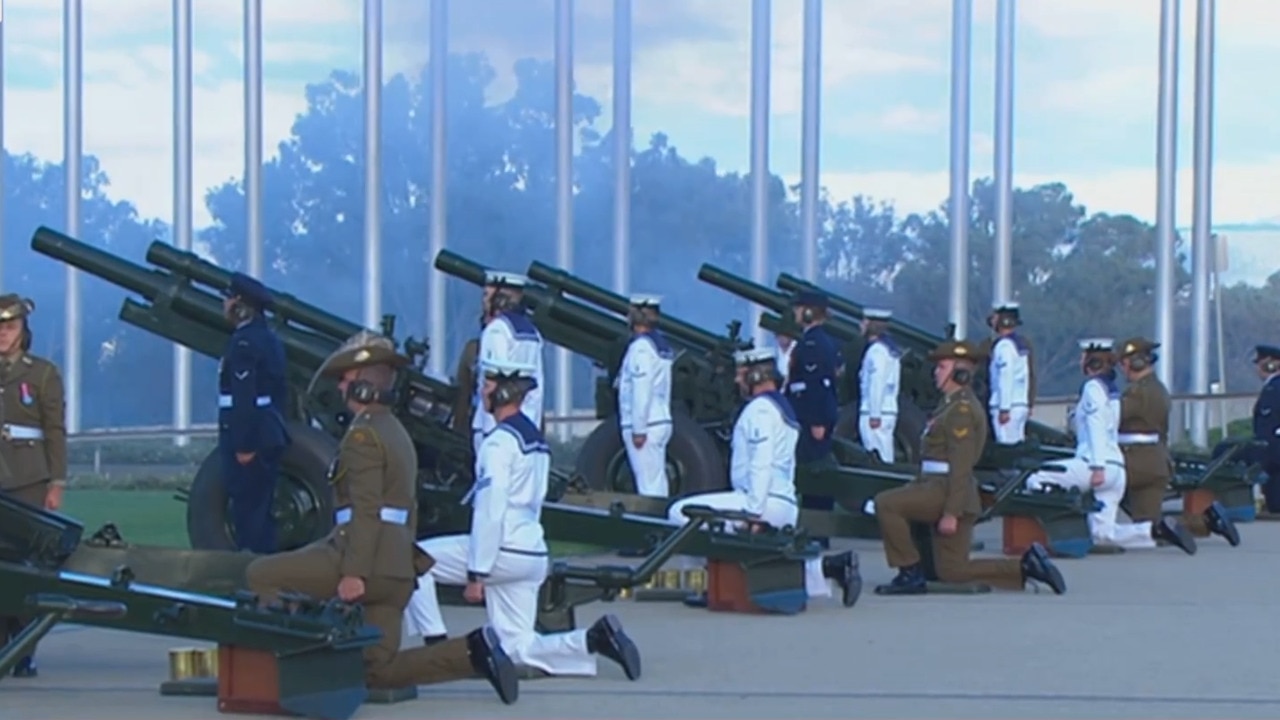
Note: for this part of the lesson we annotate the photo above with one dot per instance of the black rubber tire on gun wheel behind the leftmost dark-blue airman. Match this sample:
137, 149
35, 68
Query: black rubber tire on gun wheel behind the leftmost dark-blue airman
307, 459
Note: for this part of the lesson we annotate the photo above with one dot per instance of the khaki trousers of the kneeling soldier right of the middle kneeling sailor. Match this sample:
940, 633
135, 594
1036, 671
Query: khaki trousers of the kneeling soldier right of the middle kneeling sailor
924, 503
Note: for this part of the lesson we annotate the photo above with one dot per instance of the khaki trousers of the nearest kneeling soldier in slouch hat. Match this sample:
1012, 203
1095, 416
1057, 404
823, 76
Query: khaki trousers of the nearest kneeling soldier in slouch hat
313, 571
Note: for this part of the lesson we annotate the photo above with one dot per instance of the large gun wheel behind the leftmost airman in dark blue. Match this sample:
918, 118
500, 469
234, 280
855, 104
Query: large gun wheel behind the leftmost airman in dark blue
303, 507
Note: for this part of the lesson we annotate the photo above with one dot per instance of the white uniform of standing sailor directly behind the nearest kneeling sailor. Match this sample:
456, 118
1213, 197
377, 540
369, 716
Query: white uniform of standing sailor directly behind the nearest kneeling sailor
510, 338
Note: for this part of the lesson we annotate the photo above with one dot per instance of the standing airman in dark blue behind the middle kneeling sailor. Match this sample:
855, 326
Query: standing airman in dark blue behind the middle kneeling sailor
816, 362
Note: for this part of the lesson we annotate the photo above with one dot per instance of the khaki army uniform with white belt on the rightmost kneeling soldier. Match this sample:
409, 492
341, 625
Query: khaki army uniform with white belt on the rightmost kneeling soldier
1145, 441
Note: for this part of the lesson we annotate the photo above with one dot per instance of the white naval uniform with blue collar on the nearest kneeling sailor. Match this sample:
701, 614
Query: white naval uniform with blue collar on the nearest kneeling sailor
506, 546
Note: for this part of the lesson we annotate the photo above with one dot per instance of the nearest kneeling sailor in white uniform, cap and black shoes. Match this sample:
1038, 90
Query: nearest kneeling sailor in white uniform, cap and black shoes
504, 562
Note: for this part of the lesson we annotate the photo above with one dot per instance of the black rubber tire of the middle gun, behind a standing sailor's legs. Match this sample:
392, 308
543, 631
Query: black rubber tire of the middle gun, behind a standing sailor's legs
692, 448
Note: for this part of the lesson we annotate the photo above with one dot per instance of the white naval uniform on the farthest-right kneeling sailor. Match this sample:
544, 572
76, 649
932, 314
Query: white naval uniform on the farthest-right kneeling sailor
1098, 426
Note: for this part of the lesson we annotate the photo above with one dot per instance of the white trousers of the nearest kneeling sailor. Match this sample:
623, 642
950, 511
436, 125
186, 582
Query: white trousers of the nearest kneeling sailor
511, 601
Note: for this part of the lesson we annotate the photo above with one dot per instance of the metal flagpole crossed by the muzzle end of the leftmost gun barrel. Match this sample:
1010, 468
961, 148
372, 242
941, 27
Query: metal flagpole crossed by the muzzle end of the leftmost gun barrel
72, 154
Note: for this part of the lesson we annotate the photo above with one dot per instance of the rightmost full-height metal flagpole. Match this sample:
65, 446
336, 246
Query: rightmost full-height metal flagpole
1203, 213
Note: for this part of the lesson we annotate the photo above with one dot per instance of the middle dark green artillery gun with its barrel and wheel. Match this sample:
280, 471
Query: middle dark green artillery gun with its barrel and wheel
589, 321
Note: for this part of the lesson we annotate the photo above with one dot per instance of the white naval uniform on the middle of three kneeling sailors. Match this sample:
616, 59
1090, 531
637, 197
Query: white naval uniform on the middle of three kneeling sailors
762, 473
